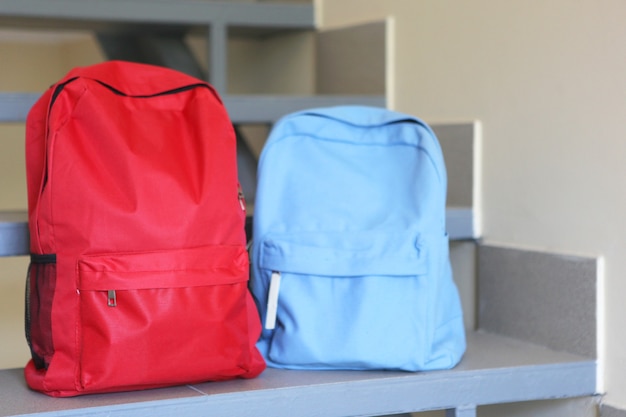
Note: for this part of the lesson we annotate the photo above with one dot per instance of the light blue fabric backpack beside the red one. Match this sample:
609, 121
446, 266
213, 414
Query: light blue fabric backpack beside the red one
350, 262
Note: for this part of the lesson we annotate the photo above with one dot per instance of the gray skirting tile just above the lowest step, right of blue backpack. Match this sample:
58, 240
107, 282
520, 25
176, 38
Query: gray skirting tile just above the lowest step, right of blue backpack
544, 298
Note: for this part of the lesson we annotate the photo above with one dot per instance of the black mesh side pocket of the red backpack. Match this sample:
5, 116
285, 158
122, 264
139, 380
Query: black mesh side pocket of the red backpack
40, 286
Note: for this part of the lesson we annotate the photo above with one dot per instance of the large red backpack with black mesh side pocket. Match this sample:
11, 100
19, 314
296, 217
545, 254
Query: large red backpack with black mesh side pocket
139, 270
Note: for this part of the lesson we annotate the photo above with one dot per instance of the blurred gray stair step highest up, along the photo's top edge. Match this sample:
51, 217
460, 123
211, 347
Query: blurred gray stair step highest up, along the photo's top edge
92, 14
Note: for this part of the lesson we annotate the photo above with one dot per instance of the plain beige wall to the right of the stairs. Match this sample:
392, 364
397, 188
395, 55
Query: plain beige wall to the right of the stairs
547, 80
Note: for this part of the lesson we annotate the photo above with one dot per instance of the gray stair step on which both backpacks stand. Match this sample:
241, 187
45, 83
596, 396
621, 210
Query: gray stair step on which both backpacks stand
494, 370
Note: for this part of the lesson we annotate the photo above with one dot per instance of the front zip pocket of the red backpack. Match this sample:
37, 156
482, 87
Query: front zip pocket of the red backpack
139, 311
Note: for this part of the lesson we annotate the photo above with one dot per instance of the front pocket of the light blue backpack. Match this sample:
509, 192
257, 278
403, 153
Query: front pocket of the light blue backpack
377, 281
